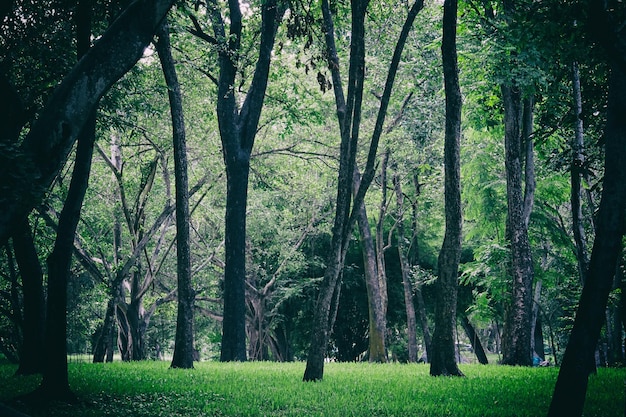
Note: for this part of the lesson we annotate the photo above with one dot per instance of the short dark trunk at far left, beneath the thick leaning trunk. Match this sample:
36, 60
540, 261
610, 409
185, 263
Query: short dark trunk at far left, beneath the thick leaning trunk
34, 303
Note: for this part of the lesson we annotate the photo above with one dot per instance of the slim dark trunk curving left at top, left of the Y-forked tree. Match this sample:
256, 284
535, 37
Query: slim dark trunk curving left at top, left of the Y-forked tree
183, 348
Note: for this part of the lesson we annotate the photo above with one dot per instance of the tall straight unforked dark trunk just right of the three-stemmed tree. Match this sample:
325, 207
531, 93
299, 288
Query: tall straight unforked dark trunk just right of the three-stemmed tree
442, 355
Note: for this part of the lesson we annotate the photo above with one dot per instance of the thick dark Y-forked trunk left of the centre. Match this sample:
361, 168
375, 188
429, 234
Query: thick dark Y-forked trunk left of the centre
238, 131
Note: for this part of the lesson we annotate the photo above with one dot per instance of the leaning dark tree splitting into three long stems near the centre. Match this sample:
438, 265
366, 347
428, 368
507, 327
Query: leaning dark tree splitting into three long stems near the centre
349, 118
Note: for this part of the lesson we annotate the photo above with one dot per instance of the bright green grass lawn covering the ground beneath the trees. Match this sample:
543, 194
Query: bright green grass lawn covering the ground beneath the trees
273, 389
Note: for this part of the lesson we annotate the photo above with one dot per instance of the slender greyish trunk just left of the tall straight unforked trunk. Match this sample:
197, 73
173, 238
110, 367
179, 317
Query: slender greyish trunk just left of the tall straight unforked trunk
405, 267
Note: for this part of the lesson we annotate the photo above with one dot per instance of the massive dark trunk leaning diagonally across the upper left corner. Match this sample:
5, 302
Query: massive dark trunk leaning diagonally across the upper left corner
46, 147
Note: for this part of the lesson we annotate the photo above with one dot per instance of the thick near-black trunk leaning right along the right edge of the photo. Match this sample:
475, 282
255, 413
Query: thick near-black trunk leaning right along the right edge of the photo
571, 385
